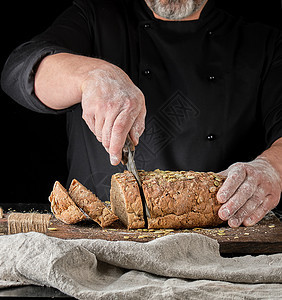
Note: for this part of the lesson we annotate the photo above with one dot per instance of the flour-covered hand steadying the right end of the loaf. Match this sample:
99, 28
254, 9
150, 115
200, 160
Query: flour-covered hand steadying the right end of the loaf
249, 192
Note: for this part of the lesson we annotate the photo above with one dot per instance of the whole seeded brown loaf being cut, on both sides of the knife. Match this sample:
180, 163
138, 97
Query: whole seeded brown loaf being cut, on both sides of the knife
183, 199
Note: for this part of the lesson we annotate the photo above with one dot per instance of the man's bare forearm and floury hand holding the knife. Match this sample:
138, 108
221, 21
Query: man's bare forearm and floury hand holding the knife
112, 105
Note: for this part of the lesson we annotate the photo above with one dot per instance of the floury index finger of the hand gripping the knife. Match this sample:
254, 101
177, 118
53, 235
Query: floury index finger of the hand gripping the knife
121, 127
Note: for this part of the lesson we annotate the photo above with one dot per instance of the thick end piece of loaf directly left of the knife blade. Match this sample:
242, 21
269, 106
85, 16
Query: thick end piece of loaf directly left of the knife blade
126, 201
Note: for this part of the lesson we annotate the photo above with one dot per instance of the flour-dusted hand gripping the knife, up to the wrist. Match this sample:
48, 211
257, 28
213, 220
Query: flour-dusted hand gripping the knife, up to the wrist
113, 107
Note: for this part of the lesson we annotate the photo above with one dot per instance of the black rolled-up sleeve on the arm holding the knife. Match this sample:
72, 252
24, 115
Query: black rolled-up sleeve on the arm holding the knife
70, 33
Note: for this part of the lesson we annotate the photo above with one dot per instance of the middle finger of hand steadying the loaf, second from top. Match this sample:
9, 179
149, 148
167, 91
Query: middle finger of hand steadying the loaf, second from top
242, 194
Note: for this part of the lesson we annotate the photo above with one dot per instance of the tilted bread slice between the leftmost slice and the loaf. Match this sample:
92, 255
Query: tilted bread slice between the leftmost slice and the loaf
91, 205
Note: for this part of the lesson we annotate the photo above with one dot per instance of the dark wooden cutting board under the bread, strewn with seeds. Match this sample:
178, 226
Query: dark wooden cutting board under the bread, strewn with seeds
263, 238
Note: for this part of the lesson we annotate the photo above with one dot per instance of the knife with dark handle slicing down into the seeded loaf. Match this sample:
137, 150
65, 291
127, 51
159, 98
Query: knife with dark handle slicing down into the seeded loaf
128, 152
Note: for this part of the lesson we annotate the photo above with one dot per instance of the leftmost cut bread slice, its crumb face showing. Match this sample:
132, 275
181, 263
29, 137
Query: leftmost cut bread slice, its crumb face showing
62, 206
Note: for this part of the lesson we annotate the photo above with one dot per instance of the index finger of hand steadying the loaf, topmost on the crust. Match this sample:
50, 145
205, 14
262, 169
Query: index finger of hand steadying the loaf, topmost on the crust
236, 176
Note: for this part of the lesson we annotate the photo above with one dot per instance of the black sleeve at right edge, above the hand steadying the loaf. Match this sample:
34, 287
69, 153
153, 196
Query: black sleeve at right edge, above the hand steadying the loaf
271, 95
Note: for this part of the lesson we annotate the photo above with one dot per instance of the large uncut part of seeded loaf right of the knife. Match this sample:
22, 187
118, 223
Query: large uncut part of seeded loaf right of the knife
181, 199
